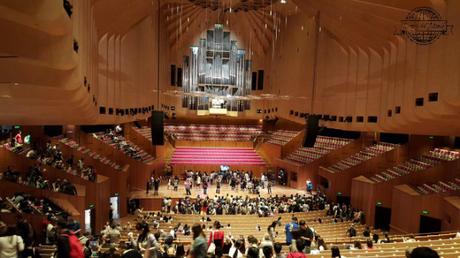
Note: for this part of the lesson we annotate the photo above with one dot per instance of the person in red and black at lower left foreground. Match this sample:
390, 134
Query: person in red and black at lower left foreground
68, 244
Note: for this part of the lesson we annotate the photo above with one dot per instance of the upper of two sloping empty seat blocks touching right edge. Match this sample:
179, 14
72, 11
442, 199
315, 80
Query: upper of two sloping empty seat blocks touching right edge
423, 162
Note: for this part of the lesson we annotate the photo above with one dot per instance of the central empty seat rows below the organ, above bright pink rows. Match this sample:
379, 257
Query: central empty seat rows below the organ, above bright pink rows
195, 132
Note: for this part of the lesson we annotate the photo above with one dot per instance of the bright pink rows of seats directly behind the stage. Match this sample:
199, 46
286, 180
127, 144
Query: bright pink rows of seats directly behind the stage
218, 156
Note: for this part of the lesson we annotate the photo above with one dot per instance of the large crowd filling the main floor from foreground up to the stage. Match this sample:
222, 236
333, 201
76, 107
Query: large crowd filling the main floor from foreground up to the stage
147, 238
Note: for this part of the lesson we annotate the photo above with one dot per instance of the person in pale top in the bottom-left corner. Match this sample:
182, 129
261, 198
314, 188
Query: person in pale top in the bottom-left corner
10, 244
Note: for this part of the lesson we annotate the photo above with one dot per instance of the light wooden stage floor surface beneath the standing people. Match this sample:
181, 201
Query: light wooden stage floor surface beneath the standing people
225, 189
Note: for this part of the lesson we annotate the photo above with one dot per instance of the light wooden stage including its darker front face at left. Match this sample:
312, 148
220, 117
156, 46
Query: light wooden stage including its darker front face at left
152, 202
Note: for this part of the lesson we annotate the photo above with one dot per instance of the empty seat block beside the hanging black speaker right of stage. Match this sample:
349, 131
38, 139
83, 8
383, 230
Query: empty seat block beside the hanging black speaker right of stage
323, 146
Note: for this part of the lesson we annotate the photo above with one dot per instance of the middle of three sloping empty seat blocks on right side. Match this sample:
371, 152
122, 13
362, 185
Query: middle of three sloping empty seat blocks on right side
361, 156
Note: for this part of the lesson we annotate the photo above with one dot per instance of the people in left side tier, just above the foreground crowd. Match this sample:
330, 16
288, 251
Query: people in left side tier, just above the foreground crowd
36, 179
